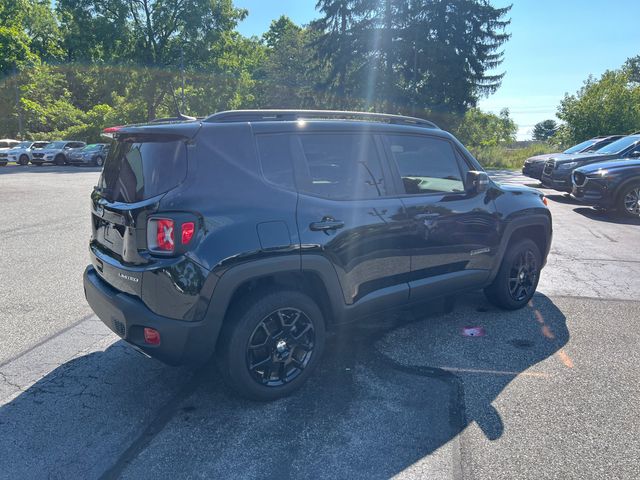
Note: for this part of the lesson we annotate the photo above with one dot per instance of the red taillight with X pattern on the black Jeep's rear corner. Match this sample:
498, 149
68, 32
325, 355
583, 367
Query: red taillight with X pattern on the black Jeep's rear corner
170, 235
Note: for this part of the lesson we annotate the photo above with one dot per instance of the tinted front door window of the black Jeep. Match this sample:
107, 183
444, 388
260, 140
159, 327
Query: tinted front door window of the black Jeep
426, 165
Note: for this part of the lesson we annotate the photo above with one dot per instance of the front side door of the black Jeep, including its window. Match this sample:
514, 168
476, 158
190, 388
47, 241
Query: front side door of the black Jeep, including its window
452, 233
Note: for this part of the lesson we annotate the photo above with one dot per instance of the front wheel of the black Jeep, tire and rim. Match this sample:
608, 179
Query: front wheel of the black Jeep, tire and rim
518, 277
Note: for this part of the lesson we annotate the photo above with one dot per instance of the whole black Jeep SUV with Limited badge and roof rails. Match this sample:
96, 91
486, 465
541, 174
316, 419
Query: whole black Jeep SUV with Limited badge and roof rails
252, 233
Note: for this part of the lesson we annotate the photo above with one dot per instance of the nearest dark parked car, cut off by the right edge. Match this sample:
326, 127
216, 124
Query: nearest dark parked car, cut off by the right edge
613, 185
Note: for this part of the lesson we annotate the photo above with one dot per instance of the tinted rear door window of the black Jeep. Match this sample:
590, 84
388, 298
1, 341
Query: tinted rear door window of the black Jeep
341, 166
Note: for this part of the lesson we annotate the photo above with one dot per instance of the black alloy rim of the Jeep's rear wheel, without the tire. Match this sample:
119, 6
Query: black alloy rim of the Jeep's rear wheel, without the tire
280, 347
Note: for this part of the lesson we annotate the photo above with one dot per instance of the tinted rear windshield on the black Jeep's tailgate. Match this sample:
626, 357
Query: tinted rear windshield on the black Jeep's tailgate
138, 168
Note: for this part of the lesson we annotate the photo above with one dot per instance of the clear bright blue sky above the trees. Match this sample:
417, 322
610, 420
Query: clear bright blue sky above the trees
555, 46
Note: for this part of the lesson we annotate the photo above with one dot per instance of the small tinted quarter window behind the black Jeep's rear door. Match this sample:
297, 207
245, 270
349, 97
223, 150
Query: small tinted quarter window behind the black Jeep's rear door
275, 157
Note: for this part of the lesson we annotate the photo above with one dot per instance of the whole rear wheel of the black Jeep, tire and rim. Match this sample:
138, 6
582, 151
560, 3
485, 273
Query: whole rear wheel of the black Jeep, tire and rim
270, 344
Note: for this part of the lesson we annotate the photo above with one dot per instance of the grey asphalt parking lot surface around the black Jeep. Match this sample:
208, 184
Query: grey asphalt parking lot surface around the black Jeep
550, 391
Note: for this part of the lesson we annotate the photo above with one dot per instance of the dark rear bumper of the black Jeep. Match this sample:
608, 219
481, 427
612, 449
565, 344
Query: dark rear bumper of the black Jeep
180, 342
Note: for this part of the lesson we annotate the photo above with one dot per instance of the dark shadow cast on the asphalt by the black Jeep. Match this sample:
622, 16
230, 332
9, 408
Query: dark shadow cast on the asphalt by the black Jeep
389, 396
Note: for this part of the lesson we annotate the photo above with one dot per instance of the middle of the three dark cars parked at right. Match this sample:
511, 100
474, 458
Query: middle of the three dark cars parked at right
557, 170
